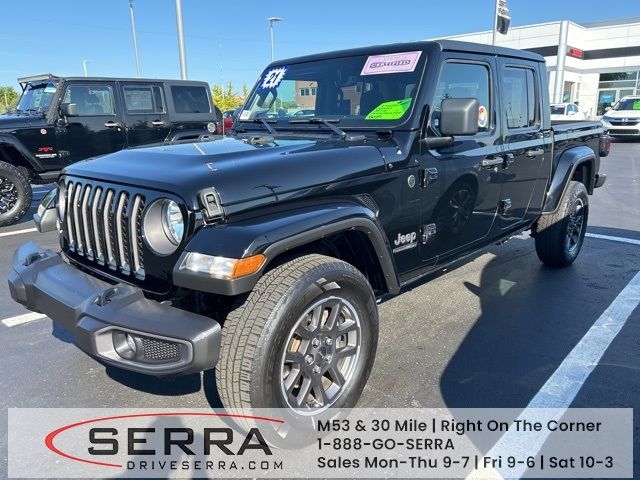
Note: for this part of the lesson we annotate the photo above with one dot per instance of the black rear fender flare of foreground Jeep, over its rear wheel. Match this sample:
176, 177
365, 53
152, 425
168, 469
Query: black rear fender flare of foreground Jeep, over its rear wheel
566, 166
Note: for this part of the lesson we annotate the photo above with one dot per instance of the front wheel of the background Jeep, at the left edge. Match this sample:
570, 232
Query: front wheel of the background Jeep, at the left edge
15, 194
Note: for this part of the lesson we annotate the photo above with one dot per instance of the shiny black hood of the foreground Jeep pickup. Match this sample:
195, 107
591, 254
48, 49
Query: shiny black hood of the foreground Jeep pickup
239, 171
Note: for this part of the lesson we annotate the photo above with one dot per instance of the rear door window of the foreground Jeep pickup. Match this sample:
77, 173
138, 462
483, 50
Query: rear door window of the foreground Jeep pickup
520, 98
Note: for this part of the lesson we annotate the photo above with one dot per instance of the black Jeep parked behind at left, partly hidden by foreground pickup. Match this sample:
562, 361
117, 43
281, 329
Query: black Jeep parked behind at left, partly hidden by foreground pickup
59, 121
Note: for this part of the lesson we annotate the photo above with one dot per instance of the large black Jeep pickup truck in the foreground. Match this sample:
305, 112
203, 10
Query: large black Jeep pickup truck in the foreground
264, 254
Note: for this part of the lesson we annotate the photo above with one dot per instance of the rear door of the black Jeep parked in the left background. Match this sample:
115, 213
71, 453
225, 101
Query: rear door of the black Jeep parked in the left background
145, 112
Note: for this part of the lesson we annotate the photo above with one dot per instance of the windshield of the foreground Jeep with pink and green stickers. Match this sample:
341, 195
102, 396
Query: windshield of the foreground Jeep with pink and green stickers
357, 91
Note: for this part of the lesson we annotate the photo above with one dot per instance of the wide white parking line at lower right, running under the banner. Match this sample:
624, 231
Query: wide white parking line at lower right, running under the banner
565, 383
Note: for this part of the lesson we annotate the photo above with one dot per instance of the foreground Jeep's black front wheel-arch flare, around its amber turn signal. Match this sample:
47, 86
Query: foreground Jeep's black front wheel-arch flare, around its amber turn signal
274, 234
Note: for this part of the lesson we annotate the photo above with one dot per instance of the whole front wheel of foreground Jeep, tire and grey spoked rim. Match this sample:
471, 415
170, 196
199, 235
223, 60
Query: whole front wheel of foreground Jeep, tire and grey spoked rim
304, 339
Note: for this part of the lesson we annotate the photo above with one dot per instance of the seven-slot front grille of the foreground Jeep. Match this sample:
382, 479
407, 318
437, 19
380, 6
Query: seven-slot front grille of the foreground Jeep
104, 225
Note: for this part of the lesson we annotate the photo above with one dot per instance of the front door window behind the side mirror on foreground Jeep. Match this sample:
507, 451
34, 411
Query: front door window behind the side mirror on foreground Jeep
464, 80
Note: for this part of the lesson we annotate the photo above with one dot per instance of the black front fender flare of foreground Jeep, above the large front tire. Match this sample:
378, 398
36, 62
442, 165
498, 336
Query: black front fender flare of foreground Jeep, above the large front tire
345, 230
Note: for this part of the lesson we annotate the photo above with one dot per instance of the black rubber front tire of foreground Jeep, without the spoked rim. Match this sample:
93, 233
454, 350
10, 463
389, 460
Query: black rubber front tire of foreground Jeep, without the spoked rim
250, 374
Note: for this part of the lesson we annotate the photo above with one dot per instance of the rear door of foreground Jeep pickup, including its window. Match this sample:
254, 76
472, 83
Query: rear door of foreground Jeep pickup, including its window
527, 145
